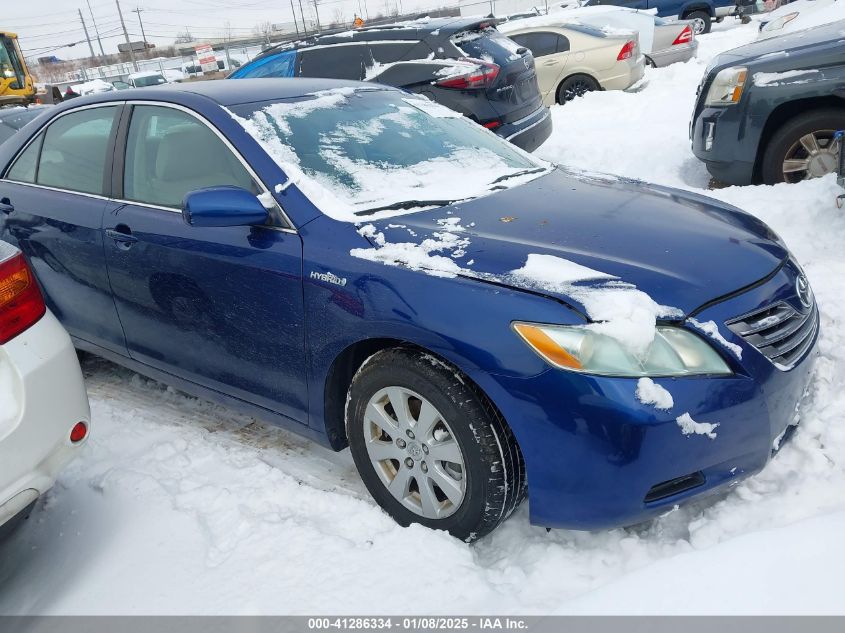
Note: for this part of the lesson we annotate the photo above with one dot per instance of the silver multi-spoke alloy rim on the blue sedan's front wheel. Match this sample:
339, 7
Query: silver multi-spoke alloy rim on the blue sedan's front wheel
414, 452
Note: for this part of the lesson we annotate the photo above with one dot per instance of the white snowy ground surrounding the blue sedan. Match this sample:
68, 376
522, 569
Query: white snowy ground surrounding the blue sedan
180, 506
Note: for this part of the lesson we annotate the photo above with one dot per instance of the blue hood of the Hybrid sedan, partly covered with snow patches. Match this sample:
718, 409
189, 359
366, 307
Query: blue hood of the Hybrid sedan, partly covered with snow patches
680, 248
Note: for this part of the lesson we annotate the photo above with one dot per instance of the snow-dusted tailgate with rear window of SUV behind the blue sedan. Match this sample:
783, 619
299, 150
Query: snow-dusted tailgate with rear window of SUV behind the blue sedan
515, 93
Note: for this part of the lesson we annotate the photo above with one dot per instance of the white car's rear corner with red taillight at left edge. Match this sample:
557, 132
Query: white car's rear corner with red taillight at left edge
44, 414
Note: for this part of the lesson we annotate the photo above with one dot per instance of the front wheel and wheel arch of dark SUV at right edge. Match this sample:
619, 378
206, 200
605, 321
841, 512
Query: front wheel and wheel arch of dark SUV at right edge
803, 147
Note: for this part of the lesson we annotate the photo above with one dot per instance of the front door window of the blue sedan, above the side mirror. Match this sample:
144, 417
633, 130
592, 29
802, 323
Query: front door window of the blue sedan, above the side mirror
170, 153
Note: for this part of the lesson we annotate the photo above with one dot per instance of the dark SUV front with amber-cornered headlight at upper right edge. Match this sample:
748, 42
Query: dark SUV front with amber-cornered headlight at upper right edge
768, 111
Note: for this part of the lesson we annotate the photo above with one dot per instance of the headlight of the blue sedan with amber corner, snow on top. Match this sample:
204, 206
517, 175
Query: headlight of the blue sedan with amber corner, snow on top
674, 351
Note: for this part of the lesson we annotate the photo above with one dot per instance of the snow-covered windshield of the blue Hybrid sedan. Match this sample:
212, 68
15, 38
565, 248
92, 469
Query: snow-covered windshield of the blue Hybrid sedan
359, 151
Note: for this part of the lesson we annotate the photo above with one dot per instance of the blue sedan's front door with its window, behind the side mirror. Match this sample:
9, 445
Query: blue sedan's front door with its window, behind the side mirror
218, 306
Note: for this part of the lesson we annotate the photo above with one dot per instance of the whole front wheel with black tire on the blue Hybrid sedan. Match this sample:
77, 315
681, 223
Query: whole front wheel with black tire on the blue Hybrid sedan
430, 447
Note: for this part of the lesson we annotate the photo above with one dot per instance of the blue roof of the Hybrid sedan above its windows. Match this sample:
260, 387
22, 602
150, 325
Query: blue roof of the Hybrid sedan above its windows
227, 92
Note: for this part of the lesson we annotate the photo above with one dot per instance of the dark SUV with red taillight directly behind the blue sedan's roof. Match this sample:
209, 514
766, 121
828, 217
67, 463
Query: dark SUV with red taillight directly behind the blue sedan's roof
462, 63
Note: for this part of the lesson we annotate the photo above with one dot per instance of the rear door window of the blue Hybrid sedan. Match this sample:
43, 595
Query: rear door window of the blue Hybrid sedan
73, 154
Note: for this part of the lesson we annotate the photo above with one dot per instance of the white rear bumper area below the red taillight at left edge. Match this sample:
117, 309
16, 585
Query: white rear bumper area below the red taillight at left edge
41, 373
